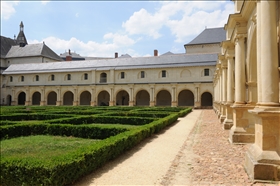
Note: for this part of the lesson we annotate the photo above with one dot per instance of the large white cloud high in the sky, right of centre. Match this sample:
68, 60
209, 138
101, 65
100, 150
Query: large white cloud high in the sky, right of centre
184, 19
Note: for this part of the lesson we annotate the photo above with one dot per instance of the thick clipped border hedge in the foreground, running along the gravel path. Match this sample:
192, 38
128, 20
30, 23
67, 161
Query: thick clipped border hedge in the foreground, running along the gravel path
69, 168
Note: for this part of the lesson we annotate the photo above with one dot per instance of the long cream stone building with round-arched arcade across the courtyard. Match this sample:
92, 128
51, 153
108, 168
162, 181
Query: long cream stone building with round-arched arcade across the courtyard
167, 80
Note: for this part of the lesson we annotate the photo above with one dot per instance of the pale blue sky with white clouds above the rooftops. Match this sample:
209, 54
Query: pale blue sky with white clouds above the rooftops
101, 28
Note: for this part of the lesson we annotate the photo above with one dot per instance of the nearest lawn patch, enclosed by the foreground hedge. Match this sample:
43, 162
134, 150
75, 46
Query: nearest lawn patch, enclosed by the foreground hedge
41, 147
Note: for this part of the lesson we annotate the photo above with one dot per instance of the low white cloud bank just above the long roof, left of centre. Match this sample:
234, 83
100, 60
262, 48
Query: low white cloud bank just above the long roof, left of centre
119, 44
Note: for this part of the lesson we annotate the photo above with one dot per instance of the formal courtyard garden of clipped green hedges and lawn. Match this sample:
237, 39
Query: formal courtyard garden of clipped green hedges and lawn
58, 145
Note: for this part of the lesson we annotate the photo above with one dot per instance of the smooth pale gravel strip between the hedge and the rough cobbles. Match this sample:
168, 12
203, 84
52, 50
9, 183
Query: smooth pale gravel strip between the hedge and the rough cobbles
149, 162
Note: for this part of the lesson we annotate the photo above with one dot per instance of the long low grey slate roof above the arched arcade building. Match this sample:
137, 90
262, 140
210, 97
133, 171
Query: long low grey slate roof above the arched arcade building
165, 61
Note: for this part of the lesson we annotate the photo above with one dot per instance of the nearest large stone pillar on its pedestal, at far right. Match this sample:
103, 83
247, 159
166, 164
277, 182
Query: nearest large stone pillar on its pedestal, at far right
262, 160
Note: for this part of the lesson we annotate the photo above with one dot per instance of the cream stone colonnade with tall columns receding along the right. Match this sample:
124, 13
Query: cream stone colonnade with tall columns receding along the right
246, 85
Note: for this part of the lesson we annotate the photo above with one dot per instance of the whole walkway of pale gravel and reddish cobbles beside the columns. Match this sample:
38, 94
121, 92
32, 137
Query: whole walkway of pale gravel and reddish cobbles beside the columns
193, 151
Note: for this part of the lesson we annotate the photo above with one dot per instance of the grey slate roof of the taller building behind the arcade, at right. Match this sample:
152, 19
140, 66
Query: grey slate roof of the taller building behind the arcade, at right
209, 35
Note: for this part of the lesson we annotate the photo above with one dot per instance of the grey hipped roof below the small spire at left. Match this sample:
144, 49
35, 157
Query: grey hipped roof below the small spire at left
32, 50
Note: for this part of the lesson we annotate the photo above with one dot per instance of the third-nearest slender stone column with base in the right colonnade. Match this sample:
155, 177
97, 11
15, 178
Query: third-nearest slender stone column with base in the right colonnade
228, 122
